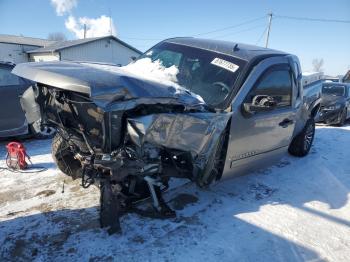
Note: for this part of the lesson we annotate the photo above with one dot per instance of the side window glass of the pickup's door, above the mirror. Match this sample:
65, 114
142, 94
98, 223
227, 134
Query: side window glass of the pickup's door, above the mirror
277, 84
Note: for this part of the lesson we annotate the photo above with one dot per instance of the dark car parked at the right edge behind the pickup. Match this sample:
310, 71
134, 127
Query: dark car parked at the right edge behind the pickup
335, 103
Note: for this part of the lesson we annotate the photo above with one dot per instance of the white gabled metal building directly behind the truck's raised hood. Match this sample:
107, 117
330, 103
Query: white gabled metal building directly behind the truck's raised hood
108, 49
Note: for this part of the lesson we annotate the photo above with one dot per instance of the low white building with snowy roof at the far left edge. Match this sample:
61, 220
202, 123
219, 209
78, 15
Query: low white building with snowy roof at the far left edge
14, 48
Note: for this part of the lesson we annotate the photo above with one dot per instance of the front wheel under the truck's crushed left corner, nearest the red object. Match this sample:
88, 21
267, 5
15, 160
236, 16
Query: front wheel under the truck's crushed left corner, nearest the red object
64, 158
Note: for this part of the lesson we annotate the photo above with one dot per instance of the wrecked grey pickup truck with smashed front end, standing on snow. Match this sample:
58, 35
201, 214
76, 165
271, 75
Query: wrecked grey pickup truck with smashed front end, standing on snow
188, 108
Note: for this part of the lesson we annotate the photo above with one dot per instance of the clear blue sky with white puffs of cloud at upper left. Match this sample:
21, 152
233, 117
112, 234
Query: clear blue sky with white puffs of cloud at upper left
144, 23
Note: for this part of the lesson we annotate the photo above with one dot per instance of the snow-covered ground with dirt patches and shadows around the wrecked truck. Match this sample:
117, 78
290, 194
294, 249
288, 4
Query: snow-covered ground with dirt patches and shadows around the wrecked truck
297, 210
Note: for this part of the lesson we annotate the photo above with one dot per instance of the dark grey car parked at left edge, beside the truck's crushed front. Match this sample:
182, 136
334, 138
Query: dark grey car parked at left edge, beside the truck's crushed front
12, 119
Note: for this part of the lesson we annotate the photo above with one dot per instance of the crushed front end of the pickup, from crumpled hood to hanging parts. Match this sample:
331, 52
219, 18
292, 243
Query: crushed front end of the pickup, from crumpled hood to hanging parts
124, 139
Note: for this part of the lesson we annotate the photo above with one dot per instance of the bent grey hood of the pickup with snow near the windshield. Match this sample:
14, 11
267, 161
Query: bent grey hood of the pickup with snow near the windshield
104, 84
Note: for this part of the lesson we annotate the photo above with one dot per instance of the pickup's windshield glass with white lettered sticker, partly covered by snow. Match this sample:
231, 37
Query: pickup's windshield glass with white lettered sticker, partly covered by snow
208, 74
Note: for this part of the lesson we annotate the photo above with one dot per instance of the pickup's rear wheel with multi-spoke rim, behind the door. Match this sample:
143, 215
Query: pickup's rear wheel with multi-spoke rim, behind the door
301, 144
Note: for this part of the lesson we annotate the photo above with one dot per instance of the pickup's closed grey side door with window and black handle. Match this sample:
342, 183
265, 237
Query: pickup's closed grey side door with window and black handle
259, 138
